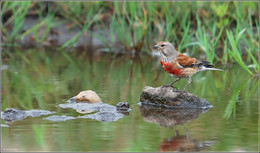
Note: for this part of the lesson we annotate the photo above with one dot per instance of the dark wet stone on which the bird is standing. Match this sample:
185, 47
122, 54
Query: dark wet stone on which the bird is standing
167, 96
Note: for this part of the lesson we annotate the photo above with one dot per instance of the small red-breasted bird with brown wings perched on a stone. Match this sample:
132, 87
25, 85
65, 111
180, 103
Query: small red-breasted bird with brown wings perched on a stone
179, 65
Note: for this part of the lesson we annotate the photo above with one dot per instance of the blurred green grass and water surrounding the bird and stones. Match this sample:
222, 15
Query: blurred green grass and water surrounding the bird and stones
53, 50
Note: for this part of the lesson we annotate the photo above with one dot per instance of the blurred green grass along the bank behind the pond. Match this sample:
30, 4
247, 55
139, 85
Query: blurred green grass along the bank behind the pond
225, 32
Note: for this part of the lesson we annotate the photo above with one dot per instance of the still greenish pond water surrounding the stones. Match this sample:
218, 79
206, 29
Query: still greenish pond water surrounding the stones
44, 78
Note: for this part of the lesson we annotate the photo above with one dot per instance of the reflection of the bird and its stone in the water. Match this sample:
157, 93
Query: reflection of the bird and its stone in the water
169, 117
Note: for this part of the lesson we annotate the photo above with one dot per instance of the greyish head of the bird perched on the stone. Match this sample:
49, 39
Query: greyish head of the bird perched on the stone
166, 49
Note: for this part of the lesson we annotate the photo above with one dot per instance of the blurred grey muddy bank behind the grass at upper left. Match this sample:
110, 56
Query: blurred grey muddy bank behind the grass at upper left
60, 34
